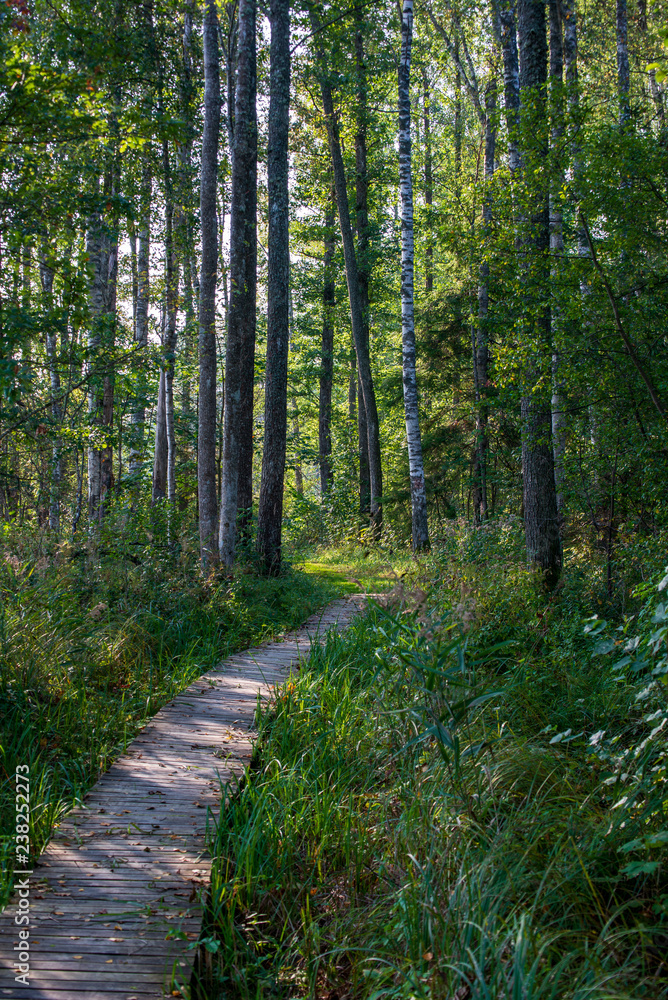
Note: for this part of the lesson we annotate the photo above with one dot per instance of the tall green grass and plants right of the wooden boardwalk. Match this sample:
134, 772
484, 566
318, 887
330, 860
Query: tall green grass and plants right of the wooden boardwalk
441, 808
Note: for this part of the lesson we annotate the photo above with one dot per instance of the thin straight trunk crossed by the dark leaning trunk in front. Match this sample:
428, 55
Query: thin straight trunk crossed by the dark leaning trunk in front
363, 261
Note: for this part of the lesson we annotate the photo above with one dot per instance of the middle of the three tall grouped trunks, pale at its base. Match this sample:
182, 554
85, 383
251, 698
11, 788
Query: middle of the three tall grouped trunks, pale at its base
238, 422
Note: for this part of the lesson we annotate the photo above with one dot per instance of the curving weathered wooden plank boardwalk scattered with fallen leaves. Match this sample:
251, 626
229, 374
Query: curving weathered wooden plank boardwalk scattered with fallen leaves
116, 897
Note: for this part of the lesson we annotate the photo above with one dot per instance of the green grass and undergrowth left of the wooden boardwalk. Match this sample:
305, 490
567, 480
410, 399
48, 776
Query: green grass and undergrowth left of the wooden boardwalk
92, 644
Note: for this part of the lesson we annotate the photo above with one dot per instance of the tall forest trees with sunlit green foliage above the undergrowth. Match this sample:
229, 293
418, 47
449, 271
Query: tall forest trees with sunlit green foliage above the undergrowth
206, 274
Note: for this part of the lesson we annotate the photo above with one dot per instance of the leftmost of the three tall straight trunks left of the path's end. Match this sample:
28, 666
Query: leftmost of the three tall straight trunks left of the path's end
206, 437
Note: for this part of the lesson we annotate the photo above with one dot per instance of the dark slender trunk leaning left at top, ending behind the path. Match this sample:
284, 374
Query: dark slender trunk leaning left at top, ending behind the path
352, 278
